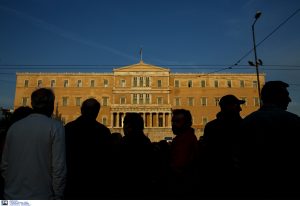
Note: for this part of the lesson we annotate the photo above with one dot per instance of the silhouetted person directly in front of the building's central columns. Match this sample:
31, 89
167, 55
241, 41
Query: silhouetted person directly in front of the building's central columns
136, 158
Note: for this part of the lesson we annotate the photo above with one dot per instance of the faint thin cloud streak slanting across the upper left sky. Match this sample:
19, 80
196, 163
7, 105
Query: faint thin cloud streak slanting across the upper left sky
63, 33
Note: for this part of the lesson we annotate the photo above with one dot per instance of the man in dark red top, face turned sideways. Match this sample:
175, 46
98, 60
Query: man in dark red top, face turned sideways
184, 152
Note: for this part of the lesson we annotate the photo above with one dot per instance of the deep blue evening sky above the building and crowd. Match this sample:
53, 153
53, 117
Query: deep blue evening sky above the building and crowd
185, 36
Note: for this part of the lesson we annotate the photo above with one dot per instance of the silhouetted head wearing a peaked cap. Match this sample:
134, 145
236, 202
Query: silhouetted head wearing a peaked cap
230, 104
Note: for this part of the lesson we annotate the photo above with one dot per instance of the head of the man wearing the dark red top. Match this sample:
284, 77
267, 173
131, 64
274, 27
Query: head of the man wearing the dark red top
181, 120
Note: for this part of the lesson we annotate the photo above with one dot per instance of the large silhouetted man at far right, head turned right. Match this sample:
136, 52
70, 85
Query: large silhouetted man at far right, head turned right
270, 150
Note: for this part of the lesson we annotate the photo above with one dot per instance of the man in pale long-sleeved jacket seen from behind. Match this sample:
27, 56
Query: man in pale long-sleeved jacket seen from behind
33, 163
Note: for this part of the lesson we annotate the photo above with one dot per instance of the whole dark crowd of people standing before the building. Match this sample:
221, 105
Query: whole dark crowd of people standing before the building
252, 158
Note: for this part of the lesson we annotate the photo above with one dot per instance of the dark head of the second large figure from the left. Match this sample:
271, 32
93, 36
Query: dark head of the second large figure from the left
90, 108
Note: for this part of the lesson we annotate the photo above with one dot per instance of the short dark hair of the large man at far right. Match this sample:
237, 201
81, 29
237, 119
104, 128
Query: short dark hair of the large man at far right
271, 89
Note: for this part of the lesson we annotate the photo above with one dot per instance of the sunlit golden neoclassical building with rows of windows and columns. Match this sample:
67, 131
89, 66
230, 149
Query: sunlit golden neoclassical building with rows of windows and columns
149, 90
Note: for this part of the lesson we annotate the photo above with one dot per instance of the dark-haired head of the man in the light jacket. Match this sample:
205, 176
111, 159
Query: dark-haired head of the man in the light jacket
42, 101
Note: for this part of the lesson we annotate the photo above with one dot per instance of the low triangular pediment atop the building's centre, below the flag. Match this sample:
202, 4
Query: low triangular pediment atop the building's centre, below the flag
141, 67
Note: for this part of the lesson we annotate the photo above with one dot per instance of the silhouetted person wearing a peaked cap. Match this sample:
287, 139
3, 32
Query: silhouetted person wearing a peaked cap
219, 146
